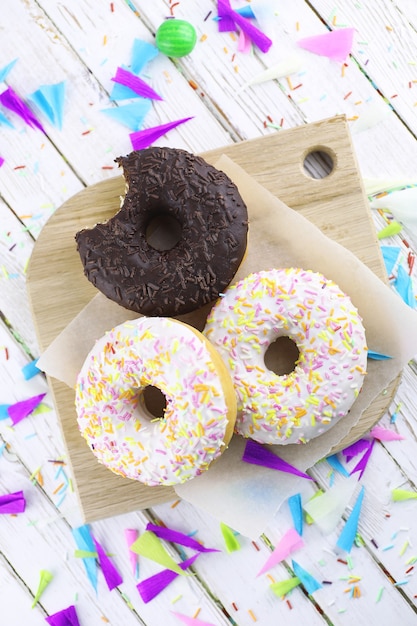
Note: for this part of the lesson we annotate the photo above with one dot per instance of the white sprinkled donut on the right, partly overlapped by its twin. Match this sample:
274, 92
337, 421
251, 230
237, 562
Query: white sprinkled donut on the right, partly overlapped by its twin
328, 373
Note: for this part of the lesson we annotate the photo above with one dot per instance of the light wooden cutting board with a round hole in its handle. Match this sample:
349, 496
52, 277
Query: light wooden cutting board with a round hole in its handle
58, 290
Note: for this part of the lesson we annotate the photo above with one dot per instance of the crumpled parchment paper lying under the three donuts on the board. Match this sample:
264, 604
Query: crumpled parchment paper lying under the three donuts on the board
245, 496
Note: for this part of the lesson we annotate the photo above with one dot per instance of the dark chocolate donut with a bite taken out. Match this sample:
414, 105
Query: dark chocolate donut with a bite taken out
168, 186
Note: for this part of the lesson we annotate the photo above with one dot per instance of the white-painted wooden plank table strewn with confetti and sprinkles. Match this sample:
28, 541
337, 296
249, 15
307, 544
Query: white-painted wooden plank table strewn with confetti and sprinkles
82, 43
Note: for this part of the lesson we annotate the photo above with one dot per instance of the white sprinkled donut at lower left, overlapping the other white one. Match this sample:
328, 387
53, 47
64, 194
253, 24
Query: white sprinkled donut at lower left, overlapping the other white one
200, 411
